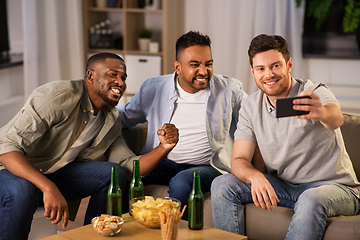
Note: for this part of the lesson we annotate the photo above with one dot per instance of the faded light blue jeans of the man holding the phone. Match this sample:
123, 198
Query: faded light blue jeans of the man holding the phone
312, 202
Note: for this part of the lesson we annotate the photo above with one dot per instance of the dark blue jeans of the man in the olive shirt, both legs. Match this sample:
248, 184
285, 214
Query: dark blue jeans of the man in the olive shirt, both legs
19, 198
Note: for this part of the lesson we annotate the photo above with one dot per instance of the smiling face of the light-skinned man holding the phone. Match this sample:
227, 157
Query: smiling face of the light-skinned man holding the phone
272, 73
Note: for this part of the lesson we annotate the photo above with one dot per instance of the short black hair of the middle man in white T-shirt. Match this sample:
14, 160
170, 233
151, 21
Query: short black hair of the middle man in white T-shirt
189, 39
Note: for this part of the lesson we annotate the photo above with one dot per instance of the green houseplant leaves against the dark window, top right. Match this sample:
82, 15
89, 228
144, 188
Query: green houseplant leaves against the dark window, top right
322, 9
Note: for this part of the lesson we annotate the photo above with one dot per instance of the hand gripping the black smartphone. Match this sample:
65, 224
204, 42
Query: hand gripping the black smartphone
314, 106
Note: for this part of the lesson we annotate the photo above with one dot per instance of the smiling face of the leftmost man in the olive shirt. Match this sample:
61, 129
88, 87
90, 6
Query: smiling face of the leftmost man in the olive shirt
106, 82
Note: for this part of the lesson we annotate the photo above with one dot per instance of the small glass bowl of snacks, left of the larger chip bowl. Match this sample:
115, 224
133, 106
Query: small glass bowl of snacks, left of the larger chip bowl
107, 225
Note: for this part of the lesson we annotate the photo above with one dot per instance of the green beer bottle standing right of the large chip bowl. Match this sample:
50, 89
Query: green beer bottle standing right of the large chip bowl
196, 205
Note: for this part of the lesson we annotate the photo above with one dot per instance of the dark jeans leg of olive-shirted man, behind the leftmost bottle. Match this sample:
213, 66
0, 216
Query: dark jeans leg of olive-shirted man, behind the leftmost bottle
78, 180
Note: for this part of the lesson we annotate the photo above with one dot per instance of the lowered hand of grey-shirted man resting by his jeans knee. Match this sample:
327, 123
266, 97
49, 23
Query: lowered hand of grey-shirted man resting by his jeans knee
263, 194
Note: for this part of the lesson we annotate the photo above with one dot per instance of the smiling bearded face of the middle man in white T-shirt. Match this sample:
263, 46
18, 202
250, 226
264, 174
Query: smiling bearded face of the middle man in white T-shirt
194, 68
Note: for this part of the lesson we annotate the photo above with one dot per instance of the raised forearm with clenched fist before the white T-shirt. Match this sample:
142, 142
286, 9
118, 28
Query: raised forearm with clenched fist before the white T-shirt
168, 136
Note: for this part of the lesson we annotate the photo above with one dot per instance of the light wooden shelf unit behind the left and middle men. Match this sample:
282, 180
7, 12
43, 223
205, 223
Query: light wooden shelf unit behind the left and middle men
126, 22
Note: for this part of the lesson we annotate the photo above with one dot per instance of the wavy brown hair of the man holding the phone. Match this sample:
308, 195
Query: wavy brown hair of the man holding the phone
263, 43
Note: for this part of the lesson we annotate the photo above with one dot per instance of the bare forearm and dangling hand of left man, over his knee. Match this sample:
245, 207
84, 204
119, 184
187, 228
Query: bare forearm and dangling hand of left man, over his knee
55, 204
